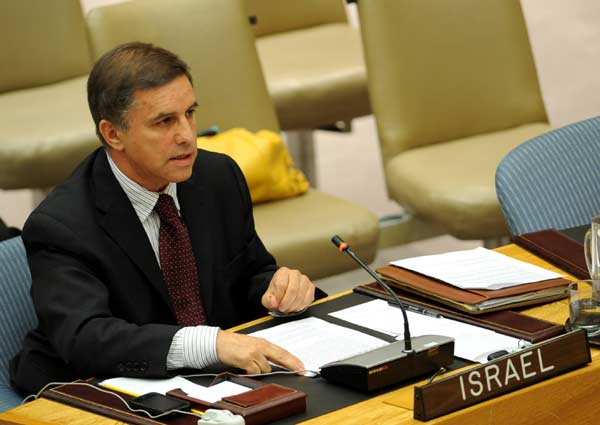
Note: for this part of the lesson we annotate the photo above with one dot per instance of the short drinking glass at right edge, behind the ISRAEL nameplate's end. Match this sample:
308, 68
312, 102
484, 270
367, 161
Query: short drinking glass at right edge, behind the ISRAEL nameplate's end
584, 306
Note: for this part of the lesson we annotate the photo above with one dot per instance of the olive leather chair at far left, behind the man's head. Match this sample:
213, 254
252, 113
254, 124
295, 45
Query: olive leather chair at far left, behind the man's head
46, 128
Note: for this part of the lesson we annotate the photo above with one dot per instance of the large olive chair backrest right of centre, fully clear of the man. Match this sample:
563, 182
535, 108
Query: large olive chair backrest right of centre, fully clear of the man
442, 70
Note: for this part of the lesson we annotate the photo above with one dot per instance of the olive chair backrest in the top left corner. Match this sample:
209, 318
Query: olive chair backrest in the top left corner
42, 42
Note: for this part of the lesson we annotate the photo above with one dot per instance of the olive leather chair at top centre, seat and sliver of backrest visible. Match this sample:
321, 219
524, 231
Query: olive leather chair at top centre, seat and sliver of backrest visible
312, 61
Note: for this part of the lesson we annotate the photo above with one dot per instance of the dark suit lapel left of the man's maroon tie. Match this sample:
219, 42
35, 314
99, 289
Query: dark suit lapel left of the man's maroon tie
123, 225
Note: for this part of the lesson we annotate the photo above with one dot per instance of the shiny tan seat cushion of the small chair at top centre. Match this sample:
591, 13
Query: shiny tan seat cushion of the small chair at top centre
316, 76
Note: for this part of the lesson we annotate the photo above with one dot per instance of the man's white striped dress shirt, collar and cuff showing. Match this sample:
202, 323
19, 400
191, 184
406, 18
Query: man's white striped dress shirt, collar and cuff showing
191, 347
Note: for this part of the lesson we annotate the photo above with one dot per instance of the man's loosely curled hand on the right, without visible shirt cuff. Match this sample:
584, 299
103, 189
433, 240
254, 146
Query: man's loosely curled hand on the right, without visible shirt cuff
289, 291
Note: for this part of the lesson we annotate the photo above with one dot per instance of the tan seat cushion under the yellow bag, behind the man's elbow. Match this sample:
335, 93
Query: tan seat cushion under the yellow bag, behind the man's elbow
298, 231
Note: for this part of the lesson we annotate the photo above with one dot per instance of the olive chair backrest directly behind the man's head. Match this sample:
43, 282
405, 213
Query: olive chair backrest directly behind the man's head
214, 37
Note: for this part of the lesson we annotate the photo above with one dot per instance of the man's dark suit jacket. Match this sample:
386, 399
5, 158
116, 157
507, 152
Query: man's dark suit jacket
99, 293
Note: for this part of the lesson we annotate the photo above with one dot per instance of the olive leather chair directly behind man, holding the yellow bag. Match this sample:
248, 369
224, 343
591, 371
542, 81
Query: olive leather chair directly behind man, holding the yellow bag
218, 45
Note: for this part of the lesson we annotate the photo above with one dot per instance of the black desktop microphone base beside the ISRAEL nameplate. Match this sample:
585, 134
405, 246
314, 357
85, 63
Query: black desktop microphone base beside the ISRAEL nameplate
389, 364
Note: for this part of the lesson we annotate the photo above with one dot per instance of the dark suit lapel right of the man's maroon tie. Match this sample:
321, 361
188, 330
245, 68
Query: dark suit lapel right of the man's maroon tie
195, 210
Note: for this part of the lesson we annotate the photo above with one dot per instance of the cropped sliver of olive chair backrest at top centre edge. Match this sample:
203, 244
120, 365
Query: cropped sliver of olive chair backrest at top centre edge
274, 16
